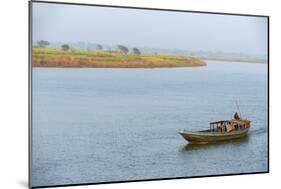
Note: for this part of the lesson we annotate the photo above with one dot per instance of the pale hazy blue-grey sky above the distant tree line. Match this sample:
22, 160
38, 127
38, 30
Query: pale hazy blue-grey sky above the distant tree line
148, 28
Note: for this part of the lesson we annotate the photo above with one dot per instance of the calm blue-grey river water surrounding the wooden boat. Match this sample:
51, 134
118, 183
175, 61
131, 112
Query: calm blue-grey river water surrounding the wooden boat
99, 125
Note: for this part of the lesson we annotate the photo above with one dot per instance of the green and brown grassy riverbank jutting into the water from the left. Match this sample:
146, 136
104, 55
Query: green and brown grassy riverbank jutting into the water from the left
52, 57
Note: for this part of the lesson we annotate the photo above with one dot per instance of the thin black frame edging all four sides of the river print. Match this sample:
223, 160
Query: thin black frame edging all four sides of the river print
138, 8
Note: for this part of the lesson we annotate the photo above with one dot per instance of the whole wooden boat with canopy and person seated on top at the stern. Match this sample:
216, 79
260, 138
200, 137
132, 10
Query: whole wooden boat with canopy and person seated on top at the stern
219, 131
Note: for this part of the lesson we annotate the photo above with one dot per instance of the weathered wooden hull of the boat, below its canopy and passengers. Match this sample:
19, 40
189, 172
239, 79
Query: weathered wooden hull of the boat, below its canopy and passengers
204, 137
